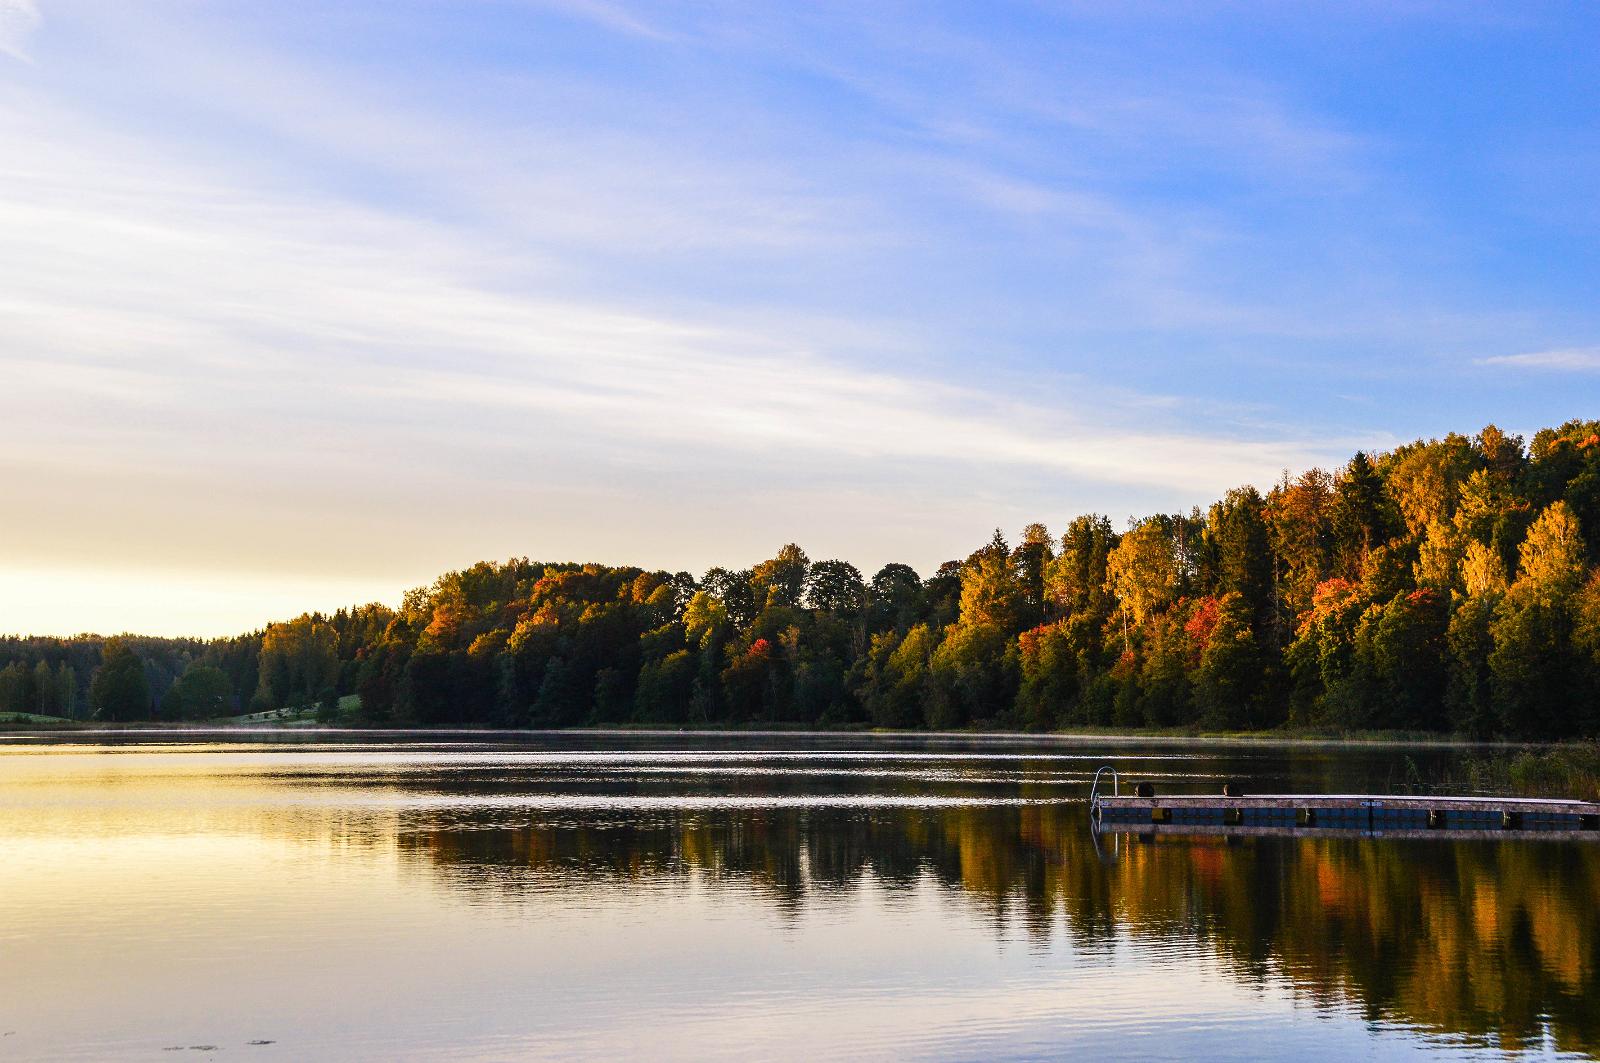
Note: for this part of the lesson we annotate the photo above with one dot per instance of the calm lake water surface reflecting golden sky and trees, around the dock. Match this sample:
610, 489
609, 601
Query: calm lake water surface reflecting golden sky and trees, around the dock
377, 897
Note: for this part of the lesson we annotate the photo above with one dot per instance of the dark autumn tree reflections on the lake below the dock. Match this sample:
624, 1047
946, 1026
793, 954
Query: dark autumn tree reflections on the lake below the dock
1463, 937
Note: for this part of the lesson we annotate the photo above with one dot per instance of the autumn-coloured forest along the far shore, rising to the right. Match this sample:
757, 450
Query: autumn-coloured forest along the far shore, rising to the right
1447, 587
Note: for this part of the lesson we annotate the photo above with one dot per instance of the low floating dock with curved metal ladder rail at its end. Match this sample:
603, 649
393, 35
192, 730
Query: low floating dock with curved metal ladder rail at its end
1358, 814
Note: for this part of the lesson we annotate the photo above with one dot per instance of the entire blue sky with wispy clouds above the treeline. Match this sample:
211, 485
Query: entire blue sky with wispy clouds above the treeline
303, 305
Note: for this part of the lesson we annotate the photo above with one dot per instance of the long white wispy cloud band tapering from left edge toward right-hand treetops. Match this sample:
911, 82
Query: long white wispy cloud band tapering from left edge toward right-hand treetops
230, 295
